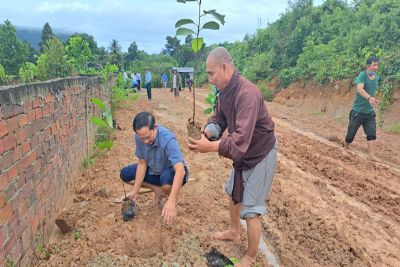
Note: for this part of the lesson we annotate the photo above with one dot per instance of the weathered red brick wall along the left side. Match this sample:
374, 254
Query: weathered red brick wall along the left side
45, 134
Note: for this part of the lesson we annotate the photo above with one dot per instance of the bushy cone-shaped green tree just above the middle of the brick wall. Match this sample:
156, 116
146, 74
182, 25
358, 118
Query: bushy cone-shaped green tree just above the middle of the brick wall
52, 63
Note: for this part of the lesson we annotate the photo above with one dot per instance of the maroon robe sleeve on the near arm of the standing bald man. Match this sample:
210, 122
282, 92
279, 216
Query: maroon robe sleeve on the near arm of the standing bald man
236, 144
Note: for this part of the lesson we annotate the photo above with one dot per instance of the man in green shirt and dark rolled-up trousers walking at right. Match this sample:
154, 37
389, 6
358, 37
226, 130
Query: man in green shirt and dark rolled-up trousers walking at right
363, 110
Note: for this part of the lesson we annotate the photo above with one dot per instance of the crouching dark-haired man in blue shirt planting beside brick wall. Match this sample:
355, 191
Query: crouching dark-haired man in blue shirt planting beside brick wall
161, 166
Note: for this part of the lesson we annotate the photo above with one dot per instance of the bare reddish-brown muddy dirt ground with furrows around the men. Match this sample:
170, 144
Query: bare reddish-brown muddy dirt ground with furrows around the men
327, 207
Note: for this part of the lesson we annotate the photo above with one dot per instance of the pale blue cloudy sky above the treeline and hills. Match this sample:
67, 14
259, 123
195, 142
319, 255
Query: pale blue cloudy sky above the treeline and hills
145, 22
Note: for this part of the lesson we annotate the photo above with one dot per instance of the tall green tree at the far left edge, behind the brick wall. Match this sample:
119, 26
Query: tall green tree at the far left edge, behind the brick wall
12, 52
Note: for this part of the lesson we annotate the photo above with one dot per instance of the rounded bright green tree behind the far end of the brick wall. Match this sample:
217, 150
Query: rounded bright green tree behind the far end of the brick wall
78, 53
